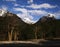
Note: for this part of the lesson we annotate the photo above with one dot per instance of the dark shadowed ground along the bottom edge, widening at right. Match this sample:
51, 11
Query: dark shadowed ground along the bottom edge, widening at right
55, 43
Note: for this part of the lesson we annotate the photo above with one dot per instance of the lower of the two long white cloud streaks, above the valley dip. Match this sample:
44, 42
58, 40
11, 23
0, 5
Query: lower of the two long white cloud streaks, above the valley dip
38, 12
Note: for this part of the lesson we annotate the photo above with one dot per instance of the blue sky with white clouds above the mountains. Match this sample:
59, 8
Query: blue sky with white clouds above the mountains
32, 10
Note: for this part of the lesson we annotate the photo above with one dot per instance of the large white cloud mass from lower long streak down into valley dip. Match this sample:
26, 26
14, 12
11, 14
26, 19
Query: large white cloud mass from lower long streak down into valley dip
27, 15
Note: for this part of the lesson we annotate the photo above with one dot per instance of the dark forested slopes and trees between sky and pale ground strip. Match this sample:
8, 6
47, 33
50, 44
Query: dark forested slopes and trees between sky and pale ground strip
13, 28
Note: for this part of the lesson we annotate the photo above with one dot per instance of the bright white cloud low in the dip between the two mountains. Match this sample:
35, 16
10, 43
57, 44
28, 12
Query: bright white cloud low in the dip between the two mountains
25, 18
